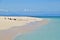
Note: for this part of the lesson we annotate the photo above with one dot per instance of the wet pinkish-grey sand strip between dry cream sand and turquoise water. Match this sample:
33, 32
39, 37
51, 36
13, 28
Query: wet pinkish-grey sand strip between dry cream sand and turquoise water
11, 33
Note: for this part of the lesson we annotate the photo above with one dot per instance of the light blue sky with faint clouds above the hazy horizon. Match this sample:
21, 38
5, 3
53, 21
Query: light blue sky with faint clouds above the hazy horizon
30, 6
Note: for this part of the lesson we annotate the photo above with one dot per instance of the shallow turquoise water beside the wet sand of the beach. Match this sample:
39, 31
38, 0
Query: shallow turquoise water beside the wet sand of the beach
51, 31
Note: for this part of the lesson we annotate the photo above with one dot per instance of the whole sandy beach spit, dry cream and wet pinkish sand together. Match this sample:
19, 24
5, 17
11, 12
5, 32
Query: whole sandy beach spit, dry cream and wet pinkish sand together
12, 26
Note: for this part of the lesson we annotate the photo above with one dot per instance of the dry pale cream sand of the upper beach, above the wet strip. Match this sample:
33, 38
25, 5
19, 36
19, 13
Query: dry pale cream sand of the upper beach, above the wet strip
5, 23
